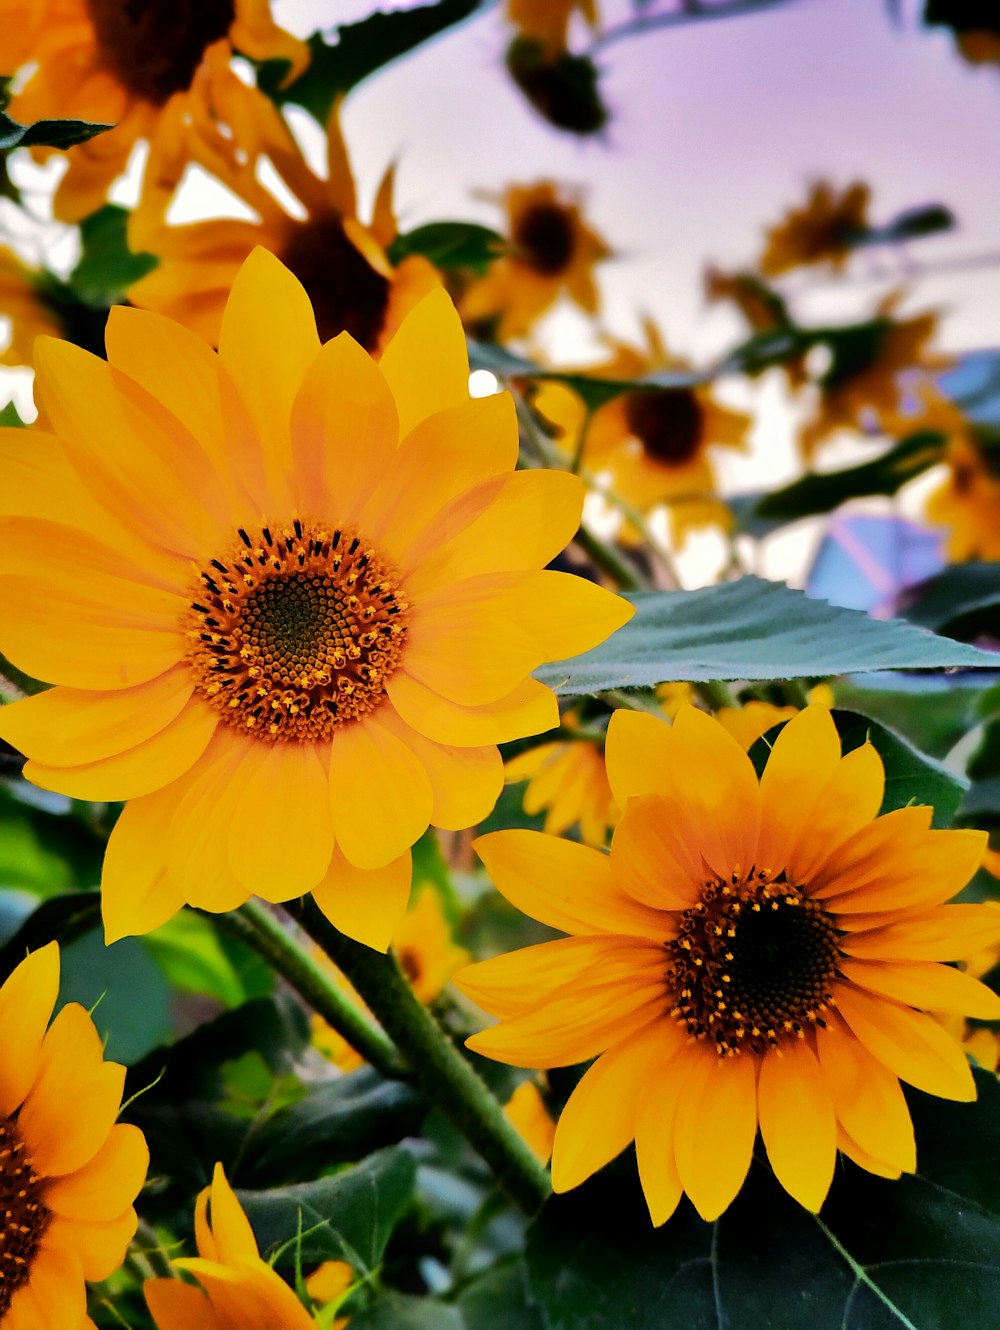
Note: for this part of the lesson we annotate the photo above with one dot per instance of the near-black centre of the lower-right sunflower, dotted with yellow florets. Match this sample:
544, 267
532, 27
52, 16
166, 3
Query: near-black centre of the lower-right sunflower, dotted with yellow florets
752, 965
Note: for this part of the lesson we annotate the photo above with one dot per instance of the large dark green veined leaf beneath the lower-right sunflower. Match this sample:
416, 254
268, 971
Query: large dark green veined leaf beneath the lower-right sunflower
922, 1254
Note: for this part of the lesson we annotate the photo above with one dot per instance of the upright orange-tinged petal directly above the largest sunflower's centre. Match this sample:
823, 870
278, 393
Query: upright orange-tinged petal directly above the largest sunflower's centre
344, 432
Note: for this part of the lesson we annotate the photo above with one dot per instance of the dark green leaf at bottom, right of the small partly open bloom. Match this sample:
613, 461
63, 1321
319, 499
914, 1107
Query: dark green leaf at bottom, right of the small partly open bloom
346, 1218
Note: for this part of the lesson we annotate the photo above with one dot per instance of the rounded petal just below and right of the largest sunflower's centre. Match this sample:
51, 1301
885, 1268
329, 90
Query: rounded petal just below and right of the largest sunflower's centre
381, 795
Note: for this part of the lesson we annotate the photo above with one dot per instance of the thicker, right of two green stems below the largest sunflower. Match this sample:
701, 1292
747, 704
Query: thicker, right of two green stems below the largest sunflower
437, 1067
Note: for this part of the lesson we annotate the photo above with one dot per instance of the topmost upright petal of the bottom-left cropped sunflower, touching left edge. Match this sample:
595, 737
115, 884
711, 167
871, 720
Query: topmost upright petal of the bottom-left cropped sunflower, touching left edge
27, 999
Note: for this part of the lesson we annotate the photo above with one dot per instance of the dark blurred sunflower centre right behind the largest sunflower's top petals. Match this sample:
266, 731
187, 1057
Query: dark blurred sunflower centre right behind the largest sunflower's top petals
348, 295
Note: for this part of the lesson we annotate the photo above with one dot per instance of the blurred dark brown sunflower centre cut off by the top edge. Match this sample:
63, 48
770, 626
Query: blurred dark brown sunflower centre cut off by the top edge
155, 47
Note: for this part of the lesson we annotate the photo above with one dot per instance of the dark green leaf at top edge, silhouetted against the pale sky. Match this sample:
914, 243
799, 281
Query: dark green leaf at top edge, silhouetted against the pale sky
361, 49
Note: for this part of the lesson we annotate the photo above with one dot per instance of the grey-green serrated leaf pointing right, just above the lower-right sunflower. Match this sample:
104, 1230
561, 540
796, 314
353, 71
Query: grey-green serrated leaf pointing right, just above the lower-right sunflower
751, 630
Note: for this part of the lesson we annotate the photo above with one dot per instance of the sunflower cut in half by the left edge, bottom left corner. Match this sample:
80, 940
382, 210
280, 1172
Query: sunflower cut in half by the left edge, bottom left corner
68, 1171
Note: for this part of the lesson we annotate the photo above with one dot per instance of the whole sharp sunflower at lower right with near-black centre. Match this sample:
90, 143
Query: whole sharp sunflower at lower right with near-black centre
749, 954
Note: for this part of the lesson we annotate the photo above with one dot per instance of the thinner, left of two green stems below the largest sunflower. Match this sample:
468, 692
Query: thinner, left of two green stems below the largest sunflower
261, 930
